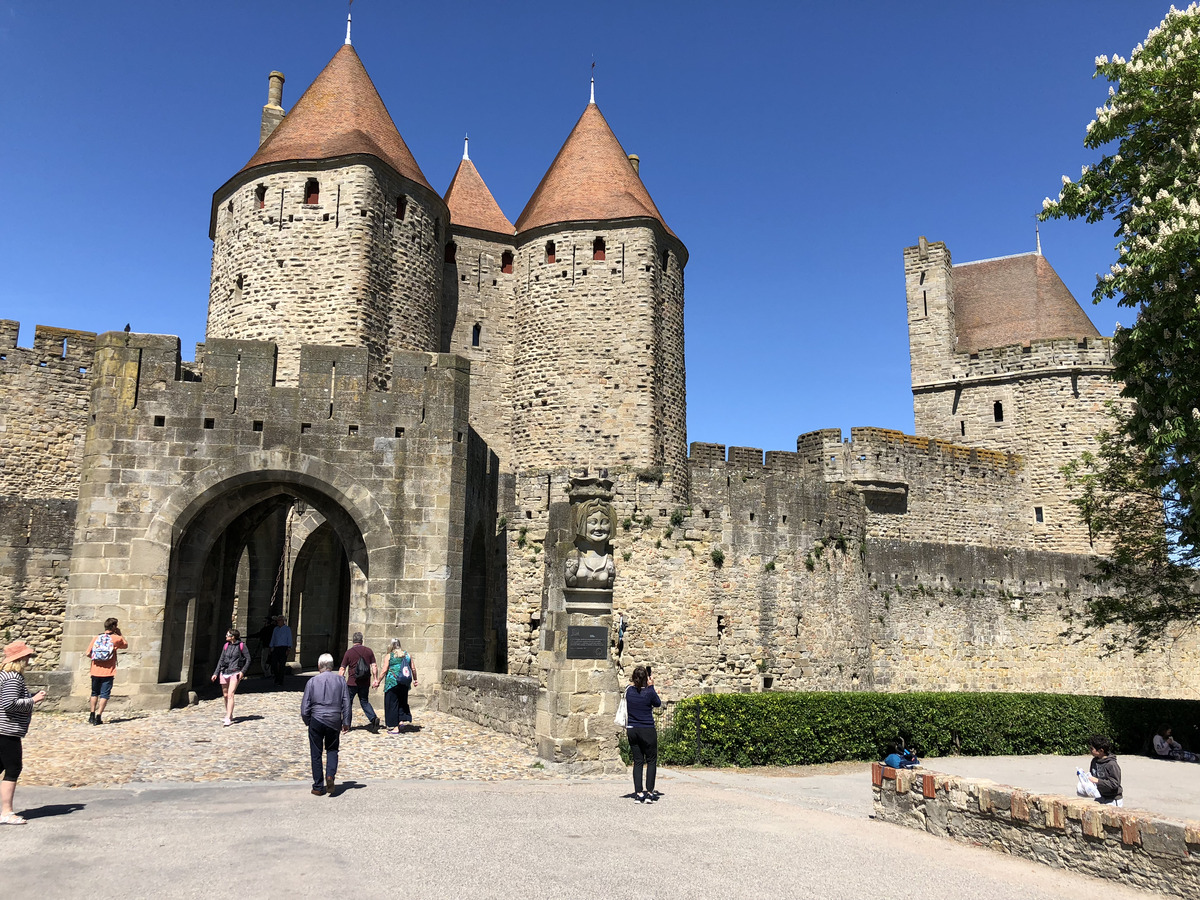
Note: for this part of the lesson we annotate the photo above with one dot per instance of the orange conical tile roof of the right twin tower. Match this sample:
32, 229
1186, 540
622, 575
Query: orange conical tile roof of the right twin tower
590, 179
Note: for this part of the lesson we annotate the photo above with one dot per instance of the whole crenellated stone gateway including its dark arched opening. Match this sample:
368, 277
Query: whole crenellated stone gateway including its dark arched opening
213, 497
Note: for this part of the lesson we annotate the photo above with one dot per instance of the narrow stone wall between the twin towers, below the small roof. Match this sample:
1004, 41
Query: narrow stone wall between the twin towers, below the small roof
475, 291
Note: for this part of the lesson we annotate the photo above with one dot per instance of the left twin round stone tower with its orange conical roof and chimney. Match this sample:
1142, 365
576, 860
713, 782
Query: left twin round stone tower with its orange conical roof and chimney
331, 235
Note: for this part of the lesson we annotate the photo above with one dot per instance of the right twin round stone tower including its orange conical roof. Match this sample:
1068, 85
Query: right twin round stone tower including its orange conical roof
599, 357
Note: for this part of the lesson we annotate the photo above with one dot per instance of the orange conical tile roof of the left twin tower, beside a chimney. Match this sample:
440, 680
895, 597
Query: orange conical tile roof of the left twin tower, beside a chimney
340, 115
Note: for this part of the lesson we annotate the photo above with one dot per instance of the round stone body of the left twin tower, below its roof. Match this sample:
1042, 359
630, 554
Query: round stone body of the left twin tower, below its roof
341, 272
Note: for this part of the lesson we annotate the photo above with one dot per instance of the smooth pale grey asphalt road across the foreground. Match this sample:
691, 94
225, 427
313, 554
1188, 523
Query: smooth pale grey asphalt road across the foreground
715, 835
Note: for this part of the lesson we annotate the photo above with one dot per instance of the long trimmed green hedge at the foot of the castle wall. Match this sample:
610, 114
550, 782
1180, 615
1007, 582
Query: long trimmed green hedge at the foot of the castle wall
781, 729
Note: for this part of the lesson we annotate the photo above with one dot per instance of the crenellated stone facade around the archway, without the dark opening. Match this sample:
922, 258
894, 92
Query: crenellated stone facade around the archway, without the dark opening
164, 453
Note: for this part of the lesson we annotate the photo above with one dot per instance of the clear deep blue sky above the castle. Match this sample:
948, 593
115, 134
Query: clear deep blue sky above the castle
796, 148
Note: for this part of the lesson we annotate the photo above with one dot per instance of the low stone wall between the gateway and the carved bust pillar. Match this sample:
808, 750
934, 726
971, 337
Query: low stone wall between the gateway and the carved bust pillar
501, 703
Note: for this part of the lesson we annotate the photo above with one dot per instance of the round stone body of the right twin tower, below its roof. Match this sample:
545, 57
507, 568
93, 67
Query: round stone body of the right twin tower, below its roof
592, 370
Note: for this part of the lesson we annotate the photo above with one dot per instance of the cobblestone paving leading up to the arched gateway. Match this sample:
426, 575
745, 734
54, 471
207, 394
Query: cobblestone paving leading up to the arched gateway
267, 743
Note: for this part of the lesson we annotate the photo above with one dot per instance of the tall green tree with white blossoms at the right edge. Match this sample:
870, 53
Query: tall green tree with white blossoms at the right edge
1150, 458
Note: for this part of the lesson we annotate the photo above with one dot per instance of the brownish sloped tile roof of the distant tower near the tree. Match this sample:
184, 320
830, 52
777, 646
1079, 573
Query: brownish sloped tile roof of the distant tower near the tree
1011, 301
